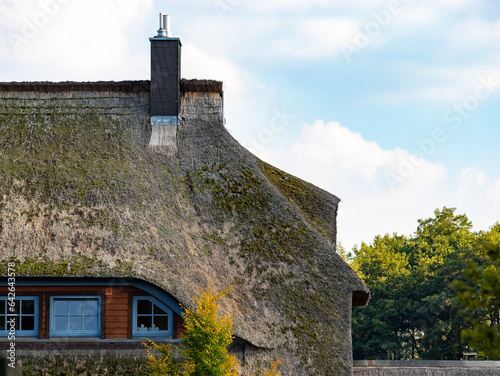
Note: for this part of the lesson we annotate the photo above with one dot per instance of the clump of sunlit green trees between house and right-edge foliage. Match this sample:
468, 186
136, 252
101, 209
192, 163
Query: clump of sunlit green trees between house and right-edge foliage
414, 313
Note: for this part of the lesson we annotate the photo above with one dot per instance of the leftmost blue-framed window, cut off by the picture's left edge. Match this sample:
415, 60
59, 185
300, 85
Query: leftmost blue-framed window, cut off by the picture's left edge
20, 314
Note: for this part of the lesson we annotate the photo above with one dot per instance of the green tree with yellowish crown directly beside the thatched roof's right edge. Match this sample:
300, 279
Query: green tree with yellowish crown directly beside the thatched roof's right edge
378, 330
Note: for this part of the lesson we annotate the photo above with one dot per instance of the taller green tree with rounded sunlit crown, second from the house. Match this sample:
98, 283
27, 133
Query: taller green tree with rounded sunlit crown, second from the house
443, 246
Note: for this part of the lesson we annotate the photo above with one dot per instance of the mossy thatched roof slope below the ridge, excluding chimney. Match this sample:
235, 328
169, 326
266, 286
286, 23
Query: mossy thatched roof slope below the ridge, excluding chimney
82, 195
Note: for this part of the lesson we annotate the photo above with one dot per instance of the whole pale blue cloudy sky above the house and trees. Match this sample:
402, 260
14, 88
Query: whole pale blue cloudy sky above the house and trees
393, 106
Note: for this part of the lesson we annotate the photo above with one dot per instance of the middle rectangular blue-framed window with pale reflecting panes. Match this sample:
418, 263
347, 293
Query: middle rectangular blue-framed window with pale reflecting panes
75, 316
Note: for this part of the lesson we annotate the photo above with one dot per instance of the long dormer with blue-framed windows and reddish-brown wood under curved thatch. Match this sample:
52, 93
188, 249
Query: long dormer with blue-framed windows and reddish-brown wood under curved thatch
102, 309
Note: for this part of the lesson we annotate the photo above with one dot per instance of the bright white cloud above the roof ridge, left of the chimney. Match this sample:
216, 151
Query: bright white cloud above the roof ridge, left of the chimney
76, 40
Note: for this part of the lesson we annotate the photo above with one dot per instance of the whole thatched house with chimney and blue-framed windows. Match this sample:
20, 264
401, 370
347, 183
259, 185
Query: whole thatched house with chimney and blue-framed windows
121, 200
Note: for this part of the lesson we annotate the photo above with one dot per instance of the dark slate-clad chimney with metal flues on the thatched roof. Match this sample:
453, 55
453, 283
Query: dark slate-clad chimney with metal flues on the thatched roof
165, 83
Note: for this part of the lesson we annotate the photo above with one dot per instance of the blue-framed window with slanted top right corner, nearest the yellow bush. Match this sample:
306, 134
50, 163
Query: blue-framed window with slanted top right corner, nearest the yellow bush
151, 318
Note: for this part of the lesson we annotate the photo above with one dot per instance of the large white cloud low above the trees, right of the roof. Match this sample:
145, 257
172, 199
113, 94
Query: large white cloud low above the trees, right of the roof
344, 163
